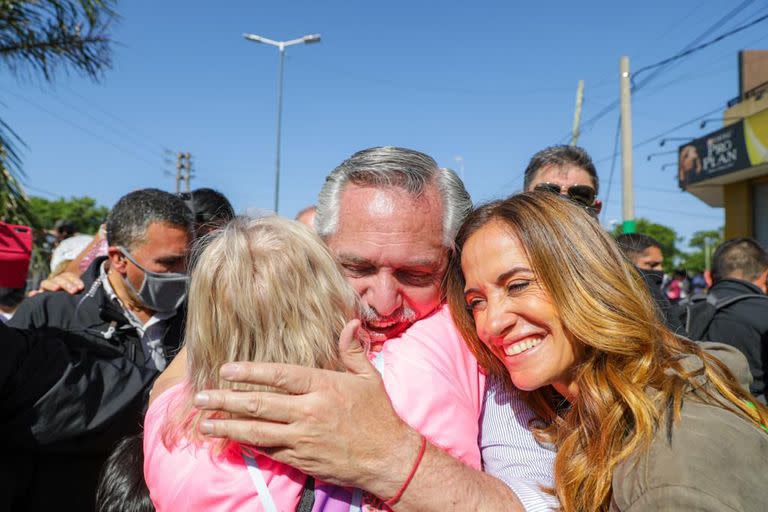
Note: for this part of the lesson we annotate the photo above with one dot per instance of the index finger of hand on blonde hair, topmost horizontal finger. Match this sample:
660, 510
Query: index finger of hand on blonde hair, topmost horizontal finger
293, 379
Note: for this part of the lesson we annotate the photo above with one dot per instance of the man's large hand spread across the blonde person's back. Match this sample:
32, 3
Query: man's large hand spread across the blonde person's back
339, 427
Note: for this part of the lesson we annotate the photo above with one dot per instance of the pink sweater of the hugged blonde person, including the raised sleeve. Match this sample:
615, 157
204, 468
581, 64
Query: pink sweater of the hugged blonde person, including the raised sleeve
434, 384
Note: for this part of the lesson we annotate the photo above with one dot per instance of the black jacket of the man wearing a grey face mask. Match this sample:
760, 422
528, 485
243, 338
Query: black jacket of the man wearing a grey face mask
94, 403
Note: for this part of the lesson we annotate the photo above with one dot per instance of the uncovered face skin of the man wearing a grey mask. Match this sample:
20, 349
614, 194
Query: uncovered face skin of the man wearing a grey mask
164, 250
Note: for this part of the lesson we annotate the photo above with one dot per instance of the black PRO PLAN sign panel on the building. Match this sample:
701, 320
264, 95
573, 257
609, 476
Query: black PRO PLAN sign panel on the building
716, 154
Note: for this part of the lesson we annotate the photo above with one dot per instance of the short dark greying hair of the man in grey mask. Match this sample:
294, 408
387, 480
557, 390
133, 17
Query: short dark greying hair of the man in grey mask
129, 219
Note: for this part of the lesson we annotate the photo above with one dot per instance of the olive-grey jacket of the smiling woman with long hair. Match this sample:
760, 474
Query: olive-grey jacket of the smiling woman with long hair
711, 460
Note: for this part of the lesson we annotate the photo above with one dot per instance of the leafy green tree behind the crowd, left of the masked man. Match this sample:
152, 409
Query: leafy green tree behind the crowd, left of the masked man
86, 215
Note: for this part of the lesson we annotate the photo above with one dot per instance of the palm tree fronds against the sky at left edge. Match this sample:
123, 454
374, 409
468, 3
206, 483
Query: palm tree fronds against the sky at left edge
39, 37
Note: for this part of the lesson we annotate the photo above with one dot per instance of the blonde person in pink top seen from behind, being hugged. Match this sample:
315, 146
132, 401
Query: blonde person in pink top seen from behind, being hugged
262, 290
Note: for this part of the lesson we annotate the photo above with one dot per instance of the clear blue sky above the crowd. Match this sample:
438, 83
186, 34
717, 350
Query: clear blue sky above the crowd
490, 82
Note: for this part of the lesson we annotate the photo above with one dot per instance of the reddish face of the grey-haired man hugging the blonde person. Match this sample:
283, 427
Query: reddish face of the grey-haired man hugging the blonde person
390, 247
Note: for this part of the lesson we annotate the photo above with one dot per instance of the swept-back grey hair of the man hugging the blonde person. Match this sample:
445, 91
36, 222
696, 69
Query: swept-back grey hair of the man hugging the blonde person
389, 166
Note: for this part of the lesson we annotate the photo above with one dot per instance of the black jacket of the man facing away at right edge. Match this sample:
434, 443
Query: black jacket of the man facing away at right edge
744, 325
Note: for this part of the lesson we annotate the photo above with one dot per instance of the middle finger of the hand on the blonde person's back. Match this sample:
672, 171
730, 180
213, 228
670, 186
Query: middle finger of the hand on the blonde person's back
252, 404
